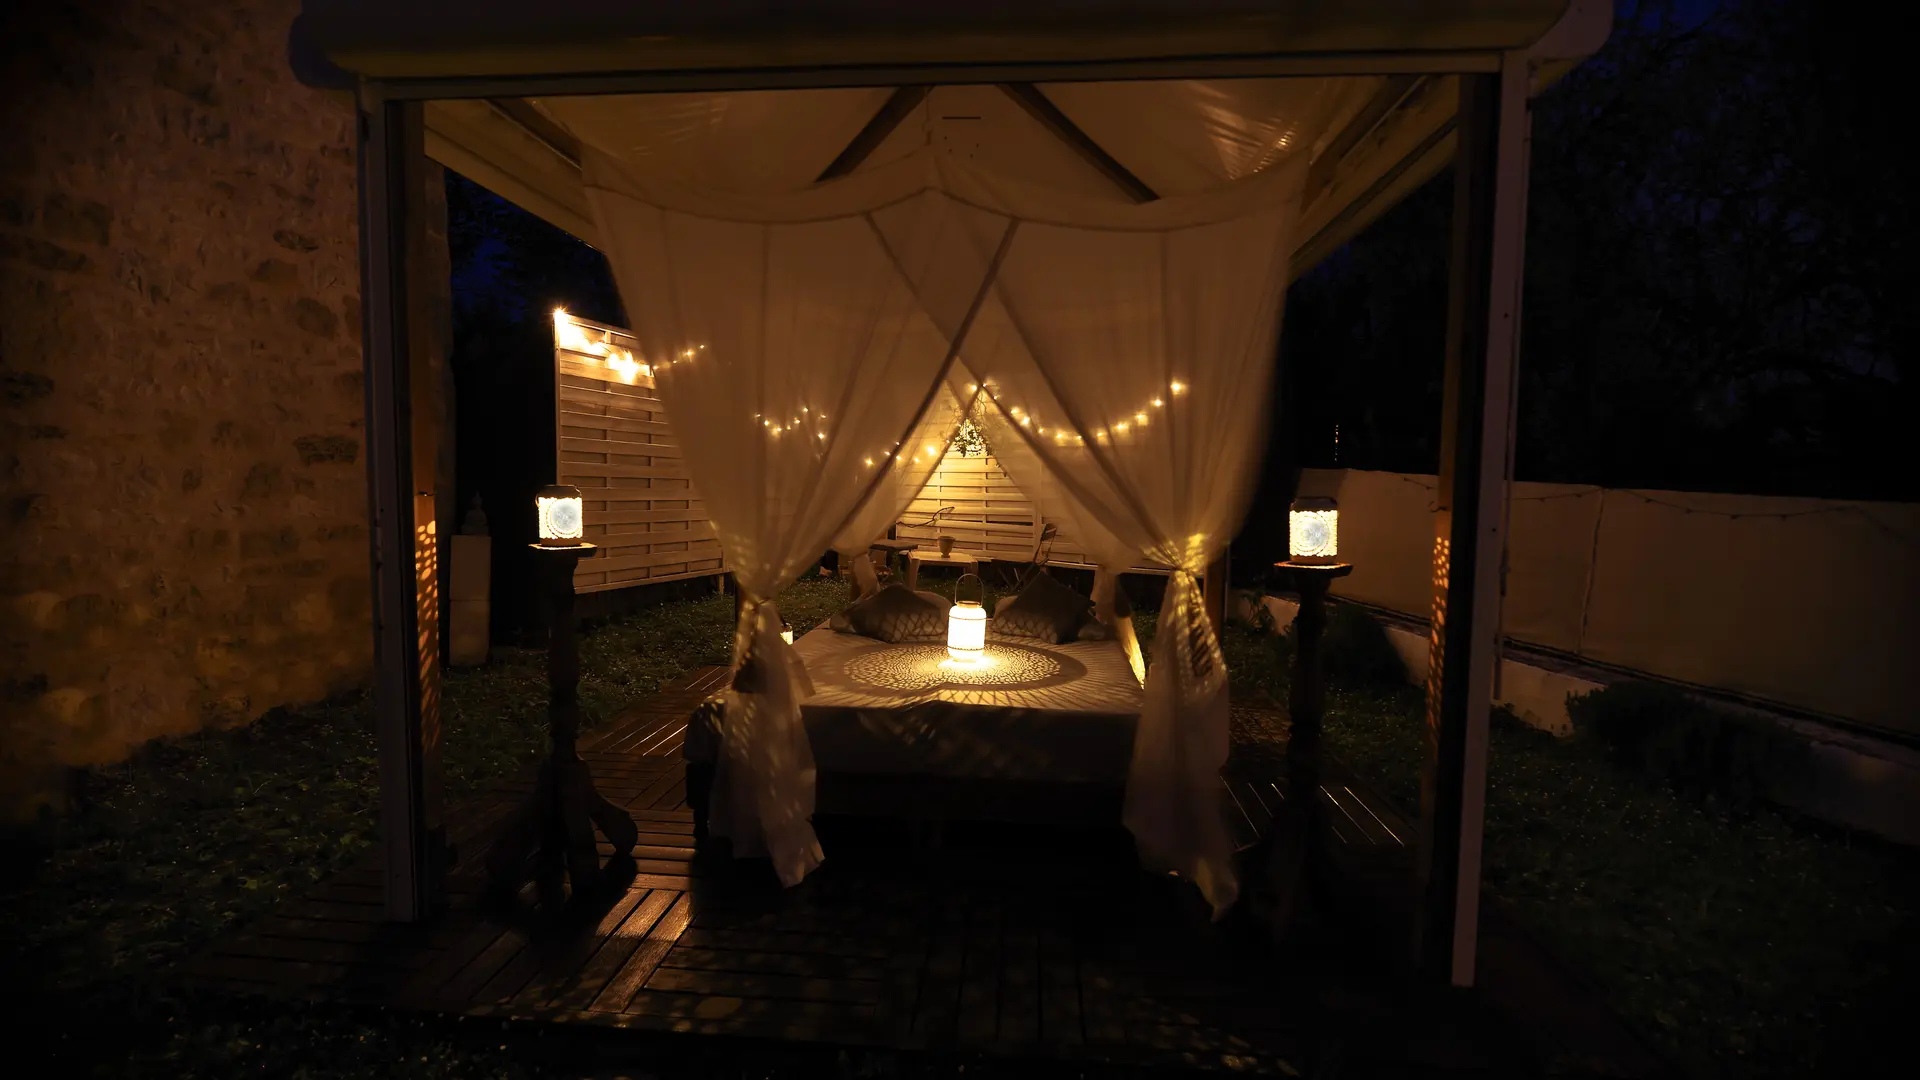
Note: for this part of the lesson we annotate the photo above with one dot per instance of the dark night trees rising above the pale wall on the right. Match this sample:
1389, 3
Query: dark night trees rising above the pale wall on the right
1719, 264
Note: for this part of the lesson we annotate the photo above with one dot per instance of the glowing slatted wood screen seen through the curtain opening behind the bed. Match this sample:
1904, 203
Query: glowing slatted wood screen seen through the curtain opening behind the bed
990, 516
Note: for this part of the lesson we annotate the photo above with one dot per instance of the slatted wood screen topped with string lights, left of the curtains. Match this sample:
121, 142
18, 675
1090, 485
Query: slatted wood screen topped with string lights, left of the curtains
617, 447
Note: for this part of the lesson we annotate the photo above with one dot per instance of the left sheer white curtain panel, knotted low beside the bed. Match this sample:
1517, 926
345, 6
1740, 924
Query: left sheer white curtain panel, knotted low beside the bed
807, 397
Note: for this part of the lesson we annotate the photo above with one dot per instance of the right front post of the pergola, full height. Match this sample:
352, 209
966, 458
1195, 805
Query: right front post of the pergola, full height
1483, 307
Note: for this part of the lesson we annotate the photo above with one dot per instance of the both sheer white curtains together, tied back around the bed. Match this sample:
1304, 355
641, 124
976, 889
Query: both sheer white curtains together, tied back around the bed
1122, 355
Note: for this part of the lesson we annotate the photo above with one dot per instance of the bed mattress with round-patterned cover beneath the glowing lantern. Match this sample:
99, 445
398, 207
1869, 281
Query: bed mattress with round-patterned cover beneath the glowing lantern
1068, 724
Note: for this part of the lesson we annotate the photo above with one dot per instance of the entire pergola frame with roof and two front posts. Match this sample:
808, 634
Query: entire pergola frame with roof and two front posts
1372, 99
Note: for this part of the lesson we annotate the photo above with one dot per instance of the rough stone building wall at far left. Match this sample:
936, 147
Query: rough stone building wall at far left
181, 479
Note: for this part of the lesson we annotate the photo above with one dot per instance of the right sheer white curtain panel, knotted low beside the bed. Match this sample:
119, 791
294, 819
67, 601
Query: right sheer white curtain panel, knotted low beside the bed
1128, 356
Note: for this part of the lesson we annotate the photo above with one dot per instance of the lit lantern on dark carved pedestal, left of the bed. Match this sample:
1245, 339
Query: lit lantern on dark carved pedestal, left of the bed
552, 831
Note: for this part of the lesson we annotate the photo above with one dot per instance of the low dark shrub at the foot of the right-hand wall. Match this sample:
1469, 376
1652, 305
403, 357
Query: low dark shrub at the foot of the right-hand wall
1673, 739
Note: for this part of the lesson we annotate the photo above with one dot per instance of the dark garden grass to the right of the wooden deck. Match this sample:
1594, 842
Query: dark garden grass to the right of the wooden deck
1740, 945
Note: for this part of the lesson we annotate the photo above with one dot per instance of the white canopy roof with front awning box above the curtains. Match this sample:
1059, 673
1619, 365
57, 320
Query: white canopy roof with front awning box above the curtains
1368, 139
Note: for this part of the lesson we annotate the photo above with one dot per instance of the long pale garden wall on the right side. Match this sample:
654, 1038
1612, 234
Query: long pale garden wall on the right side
1812, 604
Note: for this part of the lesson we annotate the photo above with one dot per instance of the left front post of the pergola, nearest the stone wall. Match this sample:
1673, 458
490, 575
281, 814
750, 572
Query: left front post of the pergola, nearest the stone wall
402, 462
